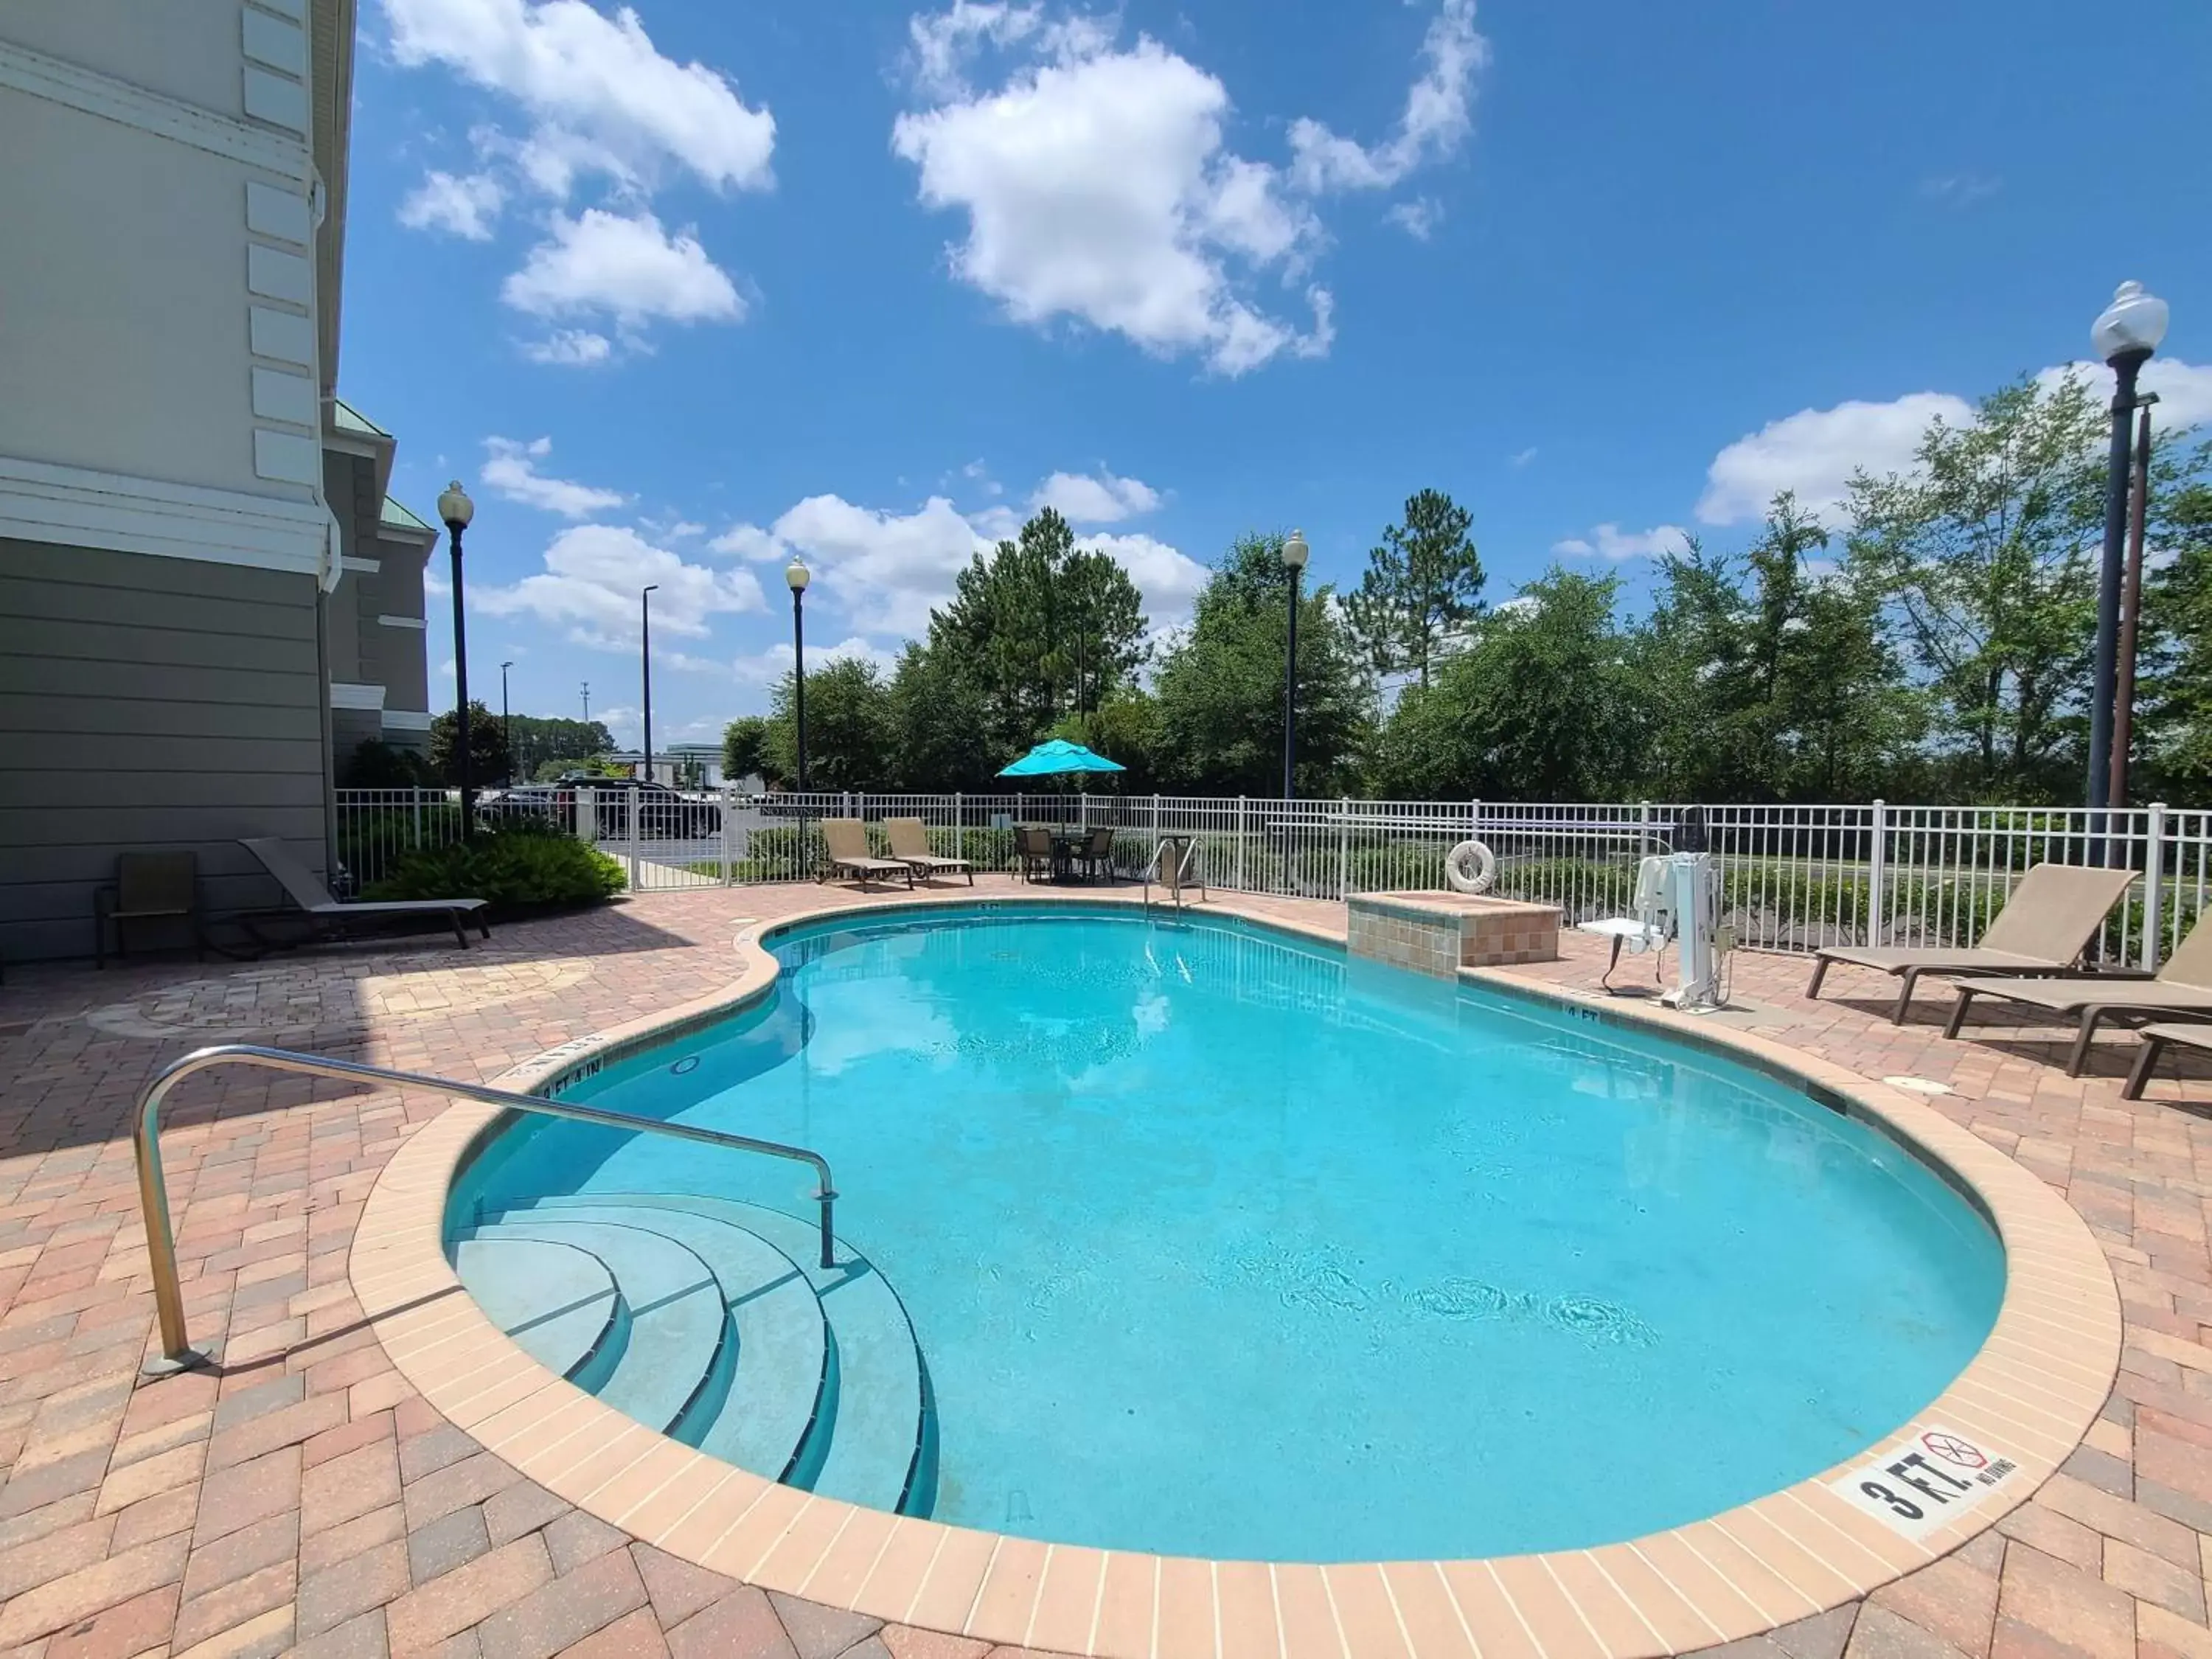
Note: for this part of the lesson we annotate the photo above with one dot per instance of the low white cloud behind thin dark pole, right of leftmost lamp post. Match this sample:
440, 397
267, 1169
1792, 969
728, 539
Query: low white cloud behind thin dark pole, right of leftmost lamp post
592, 581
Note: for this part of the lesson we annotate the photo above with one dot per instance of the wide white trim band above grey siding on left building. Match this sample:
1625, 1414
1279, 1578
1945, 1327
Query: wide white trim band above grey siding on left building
76, 508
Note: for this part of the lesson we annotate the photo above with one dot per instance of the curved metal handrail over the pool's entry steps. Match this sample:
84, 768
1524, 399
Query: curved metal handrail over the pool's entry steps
154, 1191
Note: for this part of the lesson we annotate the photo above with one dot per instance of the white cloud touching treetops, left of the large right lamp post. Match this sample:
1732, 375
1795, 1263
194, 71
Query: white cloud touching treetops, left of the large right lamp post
1815, 455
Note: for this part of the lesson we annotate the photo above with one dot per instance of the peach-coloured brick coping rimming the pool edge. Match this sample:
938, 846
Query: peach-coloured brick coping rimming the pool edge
2032, 1392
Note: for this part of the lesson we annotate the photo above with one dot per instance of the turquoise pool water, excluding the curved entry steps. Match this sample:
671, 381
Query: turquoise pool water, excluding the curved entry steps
1227, 1244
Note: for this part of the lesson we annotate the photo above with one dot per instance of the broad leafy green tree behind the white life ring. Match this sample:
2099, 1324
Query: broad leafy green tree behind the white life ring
1536, 707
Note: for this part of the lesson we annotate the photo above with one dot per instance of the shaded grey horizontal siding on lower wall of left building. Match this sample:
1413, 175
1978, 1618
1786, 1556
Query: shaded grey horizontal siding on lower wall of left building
149, 705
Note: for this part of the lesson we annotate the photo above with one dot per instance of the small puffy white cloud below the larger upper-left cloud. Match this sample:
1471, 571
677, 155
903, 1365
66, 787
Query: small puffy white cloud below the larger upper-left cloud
627, 269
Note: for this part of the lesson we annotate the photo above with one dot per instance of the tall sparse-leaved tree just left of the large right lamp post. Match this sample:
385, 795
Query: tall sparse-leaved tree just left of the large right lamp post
1987, 559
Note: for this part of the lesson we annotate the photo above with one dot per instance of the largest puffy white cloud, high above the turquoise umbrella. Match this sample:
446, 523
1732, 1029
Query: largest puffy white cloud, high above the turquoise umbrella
1098, 187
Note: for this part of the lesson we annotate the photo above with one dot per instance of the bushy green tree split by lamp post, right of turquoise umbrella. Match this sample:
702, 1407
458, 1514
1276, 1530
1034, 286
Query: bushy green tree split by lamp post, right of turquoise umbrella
1220, 691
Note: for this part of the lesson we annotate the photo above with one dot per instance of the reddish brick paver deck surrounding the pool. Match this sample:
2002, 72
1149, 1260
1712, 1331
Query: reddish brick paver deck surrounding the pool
304, 1499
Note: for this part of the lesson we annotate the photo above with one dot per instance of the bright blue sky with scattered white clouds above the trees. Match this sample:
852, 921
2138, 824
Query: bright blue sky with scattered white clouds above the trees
687, 289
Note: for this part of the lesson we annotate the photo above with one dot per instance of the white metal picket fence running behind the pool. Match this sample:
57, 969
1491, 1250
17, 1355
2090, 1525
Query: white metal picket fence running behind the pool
1795, 877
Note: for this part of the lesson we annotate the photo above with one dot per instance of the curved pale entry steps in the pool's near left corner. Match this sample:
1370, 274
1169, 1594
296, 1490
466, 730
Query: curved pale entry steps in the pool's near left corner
804, 1375
